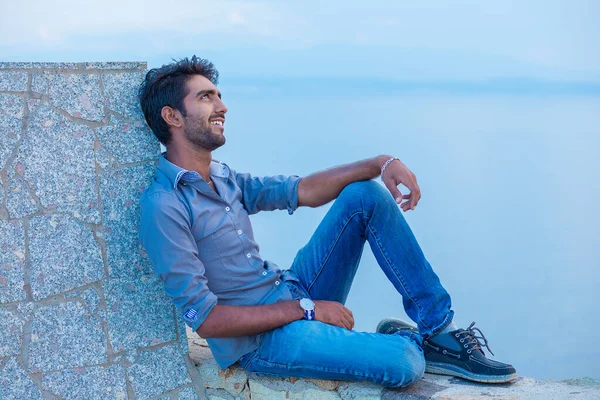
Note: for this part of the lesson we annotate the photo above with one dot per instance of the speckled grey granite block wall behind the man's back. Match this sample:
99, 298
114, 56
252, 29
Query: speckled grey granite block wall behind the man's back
82, 315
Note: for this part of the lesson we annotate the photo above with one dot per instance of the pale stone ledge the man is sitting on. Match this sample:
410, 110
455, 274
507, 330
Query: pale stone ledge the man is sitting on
235, 383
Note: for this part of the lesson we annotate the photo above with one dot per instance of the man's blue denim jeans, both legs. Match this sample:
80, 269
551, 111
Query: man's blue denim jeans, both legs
324, 270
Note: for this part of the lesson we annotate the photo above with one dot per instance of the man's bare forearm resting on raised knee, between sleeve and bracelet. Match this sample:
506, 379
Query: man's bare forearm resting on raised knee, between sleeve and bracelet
321, 187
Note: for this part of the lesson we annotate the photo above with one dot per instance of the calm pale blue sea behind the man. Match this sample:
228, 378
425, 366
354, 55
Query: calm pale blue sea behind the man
509, 216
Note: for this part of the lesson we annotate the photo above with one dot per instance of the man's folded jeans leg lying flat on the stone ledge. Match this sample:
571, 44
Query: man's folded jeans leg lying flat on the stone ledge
312, 349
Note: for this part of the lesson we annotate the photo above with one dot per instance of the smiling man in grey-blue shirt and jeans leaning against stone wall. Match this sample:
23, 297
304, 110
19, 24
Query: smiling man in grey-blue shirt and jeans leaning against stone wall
196, 230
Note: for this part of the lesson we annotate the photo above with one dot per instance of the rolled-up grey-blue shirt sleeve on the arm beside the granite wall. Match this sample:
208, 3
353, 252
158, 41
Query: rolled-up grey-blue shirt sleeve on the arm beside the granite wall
166, 236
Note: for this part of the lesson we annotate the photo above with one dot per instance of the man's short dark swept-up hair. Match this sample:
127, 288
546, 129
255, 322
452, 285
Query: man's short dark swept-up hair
165, 86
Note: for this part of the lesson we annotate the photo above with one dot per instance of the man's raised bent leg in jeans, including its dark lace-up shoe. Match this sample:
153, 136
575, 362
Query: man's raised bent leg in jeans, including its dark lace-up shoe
327, 264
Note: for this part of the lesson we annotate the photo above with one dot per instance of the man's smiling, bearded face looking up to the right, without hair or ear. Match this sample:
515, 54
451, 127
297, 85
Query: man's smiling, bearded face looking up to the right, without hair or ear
205, 114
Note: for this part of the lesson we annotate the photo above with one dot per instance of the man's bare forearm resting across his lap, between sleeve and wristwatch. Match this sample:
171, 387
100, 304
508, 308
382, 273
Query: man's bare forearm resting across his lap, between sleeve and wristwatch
231, 321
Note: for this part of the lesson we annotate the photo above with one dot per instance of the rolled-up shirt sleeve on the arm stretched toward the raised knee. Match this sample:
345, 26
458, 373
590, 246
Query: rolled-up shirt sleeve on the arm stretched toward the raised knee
268, 193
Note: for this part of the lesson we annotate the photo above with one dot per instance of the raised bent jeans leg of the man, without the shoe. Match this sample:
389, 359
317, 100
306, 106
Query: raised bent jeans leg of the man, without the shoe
365, 211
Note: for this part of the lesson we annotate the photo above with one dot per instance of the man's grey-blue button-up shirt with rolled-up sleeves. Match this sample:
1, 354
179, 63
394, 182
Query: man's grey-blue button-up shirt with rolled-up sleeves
202, 246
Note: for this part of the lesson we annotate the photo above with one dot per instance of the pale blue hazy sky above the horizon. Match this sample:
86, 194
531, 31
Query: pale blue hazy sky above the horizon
426, 41
